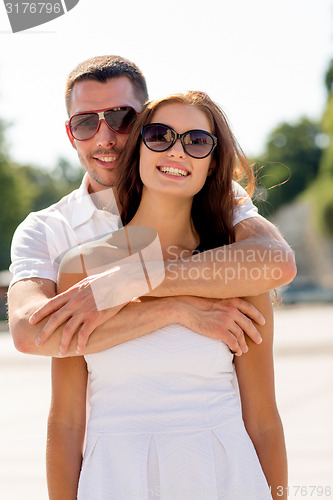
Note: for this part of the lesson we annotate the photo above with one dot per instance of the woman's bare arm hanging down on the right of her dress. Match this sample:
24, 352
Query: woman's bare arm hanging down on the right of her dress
255, 374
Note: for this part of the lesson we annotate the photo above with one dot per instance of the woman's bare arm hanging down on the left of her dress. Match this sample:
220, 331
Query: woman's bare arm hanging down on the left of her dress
67, 421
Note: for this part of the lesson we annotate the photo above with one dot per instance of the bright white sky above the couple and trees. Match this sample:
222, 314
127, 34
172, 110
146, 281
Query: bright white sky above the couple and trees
263, 61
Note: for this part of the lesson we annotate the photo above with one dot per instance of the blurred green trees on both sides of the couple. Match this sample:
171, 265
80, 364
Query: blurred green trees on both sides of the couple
296, 164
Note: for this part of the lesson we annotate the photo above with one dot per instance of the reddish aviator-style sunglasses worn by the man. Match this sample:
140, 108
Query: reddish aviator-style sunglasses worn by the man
84, 126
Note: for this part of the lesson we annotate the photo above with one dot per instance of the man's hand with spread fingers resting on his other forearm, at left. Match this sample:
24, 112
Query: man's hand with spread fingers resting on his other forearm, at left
77, 308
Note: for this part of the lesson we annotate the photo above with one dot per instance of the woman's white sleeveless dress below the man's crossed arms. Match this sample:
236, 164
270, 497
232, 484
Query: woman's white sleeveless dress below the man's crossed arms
166, 423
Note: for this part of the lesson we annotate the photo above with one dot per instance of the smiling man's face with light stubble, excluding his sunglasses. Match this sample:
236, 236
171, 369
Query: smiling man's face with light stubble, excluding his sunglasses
99, 155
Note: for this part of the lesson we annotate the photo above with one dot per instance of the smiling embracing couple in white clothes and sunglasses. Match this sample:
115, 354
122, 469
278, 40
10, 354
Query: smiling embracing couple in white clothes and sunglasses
180, 403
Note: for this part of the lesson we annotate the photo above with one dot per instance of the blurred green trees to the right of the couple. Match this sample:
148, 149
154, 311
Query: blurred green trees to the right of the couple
297, 164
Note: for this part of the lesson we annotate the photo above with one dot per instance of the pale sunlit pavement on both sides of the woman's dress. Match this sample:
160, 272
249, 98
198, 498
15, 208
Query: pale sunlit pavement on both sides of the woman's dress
304, 383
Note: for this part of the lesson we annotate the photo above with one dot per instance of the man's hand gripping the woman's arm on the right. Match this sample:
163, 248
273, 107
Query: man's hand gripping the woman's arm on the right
228, 320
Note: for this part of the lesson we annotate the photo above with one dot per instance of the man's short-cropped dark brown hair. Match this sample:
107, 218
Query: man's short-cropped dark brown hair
103, 68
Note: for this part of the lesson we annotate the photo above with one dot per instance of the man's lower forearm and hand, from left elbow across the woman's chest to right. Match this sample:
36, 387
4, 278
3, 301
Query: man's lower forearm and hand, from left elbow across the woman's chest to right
227, 320
